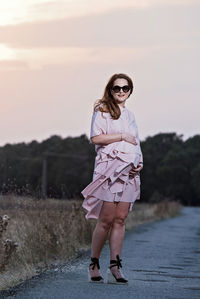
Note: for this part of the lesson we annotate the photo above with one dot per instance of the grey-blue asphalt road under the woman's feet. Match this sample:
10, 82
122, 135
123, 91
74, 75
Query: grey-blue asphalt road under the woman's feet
161, 260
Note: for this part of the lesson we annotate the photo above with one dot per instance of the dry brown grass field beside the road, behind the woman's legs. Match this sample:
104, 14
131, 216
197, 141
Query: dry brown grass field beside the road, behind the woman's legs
45, 232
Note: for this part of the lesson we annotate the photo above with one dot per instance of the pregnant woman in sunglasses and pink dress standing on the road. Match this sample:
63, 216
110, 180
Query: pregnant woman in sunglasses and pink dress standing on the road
116, 180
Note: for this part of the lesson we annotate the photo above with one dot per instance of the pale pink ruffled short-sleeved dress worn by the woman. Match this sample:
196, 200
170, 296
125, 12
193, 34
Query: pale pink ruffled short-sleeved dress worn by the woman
111, 181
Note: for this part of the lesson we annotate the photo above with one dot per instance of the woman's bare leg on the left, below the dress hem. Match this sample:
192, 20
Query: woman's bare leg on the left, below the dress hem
101, 230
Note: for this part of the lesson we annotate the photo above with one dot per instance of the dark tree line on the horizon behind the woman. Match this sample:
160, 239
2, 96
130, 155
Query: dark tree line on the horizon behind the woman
171, 167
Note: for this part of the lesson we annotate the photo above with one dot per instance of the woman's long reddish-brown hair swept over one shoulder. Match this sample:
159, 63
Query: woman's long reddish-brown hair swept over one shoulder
108, 103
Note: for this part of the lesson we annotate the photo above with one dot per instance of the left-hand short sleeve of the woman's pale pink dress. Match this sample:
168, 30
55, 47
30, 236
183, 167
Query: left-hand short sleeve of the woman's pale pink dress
98, 124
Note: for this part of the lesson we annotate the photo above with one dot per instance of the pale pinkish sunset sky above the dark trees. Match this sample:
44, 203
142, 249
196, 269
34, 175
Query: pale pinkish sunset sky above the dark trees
57, 56
